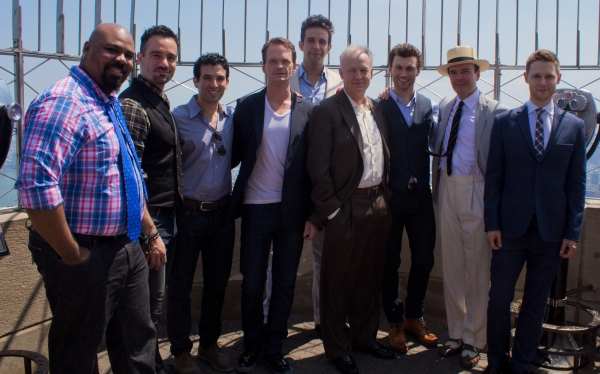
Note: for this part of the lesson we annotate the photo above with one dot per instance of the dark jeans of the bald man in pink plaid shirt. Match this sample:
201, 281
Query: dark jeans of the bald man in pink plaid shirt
111, 285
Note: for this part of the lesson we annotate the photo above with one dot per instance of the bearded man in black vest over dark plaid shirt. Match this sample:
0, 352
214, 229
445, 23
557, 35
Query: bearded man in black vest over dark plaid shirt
147, 111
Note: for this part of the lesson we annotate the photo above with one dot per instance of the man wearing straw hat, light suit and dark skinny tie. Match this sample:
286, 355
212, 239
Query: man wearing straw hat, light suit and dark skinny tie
459, 166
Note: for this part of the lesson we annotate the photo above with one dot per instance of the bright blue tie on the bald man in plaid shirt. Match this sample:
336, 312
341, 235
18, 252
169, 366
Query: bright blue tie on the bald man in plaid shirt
128, 163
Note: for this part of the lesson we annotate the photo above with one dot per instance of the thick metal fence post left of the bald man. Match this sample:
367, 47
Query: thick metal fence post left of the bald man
19, 76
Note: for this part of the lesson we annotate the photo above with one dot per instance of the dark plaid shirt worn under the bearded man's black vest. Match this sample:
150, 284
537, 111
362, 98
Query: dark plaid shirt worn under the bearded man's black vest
137, 119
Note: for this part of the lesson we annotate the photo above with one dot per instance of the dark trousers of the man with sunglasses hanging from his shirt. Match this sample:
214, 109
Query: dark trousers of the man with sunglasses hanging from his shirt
212, 235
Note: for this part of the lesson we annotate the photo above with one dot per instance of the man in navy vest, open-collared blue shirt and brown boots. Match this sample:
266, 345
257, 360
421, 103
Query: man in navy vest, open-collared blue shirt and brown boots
411, 119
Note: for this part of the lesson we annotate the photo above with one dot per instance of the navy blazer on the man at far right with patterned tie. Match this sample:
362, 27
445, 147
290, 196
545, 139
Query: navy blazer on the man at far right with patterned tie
517, 185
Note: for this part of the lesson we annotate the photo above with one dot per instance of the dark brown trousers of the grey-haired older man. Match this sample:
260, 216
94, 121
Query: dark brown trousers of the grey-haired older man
352, 271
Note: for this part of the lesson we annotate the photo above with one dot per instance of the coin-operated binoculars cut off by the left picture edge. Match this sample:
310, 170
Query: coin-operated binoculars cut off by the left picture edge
9, 112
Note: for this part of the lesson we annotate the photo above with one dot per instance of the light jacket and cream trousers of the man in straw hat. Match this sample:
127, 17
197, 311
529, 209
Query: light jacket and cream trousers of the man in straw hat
466, 255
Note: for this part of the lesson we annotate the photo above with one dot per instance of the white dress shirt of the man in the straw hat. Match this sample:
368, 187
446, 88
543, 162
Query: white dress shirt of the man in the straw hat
464, 156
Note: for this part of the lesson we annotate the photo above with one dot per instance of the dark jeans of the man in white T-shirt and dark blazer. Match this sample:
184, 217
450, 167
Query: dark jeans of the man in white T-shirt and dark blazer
261, 226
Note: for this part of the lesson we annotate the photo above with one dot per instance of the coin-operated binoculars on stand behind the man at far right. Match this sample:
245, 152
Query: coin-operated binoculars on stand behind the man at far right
567, 345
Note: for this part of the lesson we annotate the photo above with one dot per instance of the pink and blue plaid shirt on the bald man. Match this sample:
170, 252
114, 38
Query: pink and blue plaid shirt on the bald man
70, 157
